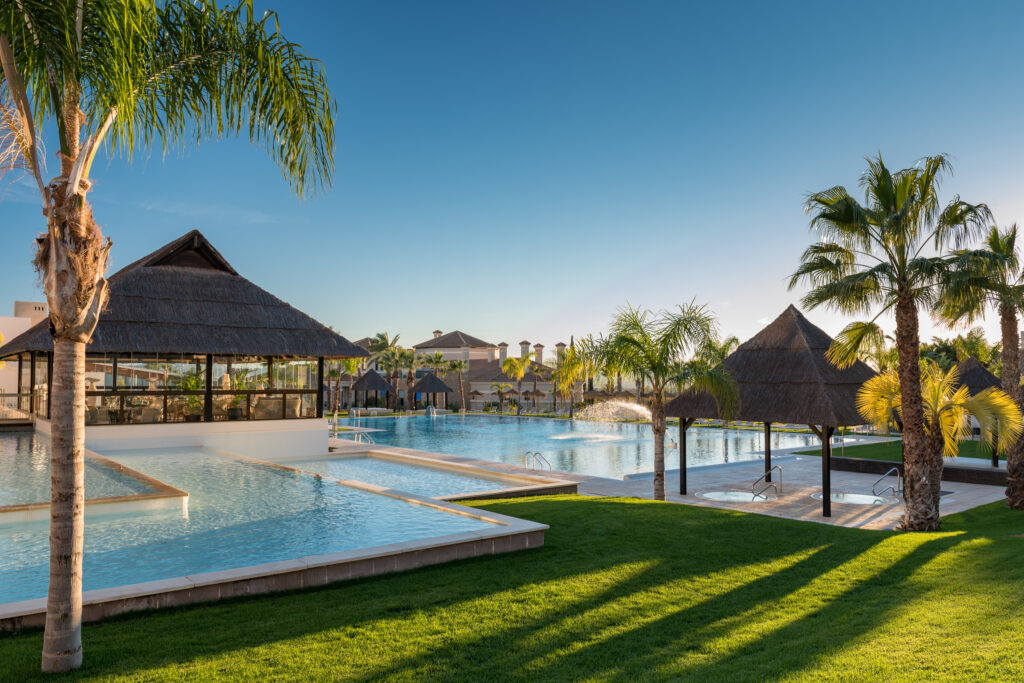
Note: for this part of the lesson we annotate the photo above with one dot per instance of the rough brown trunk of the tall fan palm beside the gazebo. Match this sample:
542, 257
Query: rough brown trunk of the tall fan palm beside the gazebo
922, 513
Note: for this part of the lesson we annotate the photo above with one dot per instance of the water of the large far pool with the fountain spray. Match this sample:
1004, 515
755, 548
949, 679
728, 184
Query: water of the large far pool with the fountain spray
598, 449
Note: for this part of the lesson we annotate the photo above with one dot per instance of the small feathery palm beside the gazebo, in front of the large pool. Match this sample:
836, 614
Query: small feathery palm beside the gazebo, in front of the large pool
653, 349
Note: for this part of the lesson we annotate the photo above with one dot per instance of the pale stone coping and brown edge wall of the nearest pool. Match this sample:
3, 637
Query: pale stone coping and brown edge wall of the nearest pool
508, 535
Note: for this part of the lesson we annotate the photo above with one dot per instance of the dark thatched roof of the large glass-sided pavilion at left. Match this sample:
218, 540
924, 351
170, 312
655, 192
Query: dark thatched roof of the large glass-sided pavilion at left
187, 298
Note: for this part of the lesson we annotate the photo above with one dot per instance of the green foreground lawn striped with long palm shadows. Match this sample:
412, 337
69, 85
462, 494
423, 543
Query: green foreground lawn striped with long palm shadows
623, 590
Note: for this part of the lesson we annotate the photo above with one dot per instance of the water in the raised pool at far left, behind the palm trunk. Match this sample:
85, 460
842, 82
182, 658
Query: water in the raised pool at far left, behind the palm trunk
25, 474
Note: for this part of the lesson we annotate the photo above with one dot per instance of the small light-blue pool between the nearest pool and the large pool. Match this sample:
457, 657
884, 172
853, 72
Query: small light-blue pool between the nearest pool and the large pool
410, 479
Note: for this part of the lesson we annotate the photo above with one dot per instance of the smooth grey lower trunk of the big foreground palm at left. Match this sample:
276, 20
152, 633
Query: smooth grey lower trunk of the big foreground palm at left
63, 638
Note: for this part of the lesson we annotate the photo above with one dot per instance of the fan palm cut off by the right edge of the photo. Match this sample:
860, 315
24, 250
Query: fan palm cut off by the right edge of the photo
993, 277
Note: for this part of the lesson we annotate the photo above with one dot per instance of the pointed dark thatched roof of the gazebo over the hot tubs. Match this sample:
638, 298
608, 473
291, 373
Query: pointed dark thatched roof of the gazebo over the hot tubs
783, 375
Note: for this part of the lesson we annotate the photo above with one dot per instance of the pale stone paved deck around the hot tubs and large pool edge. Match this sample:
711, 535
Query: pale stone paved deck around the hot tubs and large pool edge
801, 480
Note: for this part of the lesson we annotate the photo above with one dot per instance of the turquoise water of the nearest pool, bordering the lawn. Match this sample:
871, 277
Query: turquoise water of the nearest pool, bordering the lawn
240, 514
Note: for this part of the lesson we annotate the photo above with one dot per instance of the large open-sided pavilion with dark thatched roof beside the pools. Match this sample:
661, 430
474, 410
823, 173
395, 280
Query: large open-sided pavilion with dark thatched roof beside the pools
186, 338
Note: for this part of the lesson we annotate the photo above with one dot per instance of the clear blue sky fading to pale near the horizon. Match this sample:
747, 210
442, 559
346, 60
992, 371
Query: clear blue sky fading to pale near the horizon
520, 170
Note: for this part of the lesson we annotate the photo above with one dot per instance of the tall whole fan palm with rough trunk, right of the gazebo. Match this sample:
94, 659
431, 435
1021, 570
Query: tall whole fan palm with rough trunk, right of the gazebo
872, 257
